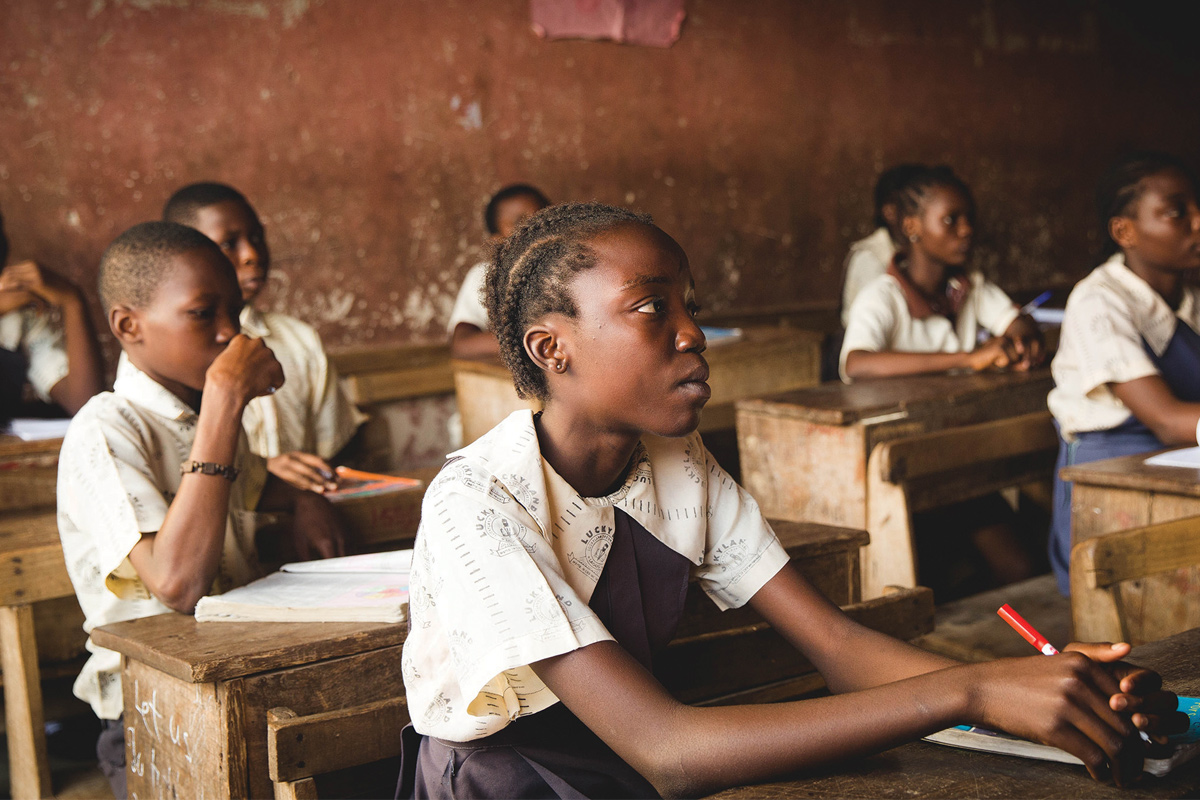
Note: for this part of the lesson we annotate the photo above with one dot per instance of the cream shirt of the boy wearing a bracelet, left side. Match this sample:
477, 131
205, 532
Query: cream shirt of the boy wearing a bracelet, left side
119, 471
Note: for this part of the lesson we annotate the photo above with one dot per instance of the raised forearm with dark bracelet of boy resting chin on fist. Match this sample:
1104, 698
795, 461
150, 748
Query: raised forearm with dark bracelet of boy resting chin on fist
185, 552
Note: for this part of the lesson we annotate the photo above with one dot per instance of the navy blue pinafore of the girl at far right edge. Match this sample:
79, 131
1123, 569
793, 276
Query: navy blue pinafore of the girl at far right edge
1180, 368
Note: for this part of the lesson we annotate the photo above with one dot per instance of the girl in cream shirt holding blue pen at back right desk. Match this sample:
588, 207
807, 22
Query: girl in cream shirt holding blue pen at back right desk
926, 314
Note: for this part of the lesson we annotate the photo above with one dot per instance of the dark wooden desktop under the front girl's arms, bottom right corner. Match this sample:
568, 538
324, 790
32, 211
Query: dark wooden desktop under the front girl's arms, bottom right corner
925, 771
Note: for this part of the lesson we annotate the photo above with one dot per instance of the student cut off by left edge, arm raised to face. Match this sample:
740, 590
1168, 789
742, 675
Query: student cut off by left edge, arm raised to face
59, 358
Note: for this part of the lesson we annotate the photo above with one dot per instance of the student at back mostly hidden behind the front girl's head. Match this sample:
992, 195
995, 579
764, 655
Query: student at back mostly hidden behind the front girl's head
470, 333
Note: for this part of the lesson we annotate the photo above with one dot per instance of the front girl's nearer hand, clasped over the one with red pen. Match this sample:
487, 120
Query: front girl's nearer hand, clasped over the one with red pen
1064, 701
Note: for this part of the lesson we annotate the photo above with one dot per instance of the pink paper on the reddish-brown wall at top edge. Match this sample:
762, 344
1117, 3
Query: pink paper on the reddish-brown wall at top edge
655, 23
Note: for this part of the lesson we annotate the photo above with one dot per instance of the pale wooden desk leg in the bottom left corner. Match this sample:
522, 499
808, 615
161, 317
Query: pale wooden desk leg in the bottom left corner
28, 766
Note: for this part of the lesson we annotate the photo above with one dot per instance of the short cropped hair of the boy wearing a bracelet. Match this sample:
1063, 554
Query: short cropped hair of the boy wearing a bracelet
135, 264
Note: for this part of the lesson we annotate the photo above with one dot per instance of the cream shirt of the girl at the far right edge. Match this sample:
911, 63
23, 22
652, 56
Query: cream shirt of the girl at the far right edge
1109, 315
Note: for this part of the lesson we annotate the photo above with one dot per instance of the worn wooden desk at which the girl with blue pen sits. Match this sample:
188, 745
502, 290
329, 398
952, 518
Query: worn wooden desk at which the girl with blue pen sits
806, 454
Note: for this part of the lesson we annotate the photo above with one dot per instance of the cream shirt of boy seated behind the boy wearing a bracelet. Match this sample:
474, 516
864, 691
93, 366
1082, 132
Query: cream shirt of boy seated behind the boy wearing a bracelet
310, 413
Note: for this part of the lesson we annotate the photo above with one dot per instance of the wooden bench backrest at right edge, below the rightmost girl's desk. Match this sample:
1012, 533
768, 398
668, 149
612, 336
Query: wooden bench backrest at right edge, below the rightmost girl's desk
1109, 599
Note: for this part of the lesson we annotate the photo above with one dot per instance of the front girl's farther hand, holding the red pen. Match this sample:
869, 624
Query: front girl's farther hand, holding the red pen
1141, 691
